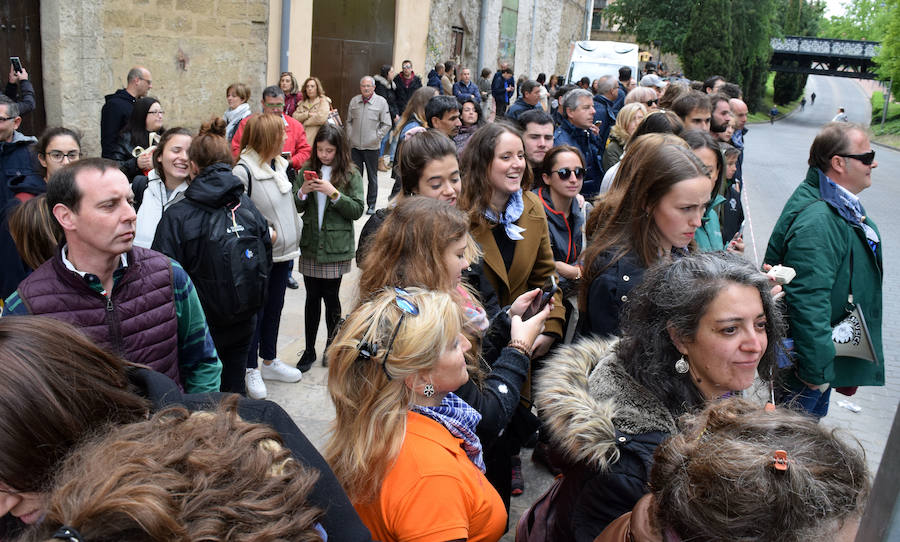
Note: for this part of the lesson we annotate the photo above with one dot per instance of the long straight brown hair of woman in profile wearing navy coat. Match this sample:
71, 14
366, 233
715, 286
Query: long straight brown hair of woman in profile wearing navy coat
623, 220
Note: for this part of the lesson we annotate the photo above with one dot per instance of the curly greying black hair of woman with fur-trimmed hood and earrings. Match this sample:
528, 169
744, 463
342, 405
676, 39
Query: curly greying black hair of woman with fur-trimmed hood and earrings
674, 297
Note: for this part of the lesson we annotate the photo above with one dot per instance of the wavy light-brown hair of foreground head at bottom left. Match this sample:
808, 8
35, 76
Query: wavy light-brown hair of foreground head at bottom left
183, 476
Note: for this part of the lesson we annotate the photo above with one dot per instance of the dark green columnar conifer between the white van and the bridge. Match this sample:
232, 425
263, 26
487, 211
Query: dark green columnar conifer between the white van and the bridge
707, 49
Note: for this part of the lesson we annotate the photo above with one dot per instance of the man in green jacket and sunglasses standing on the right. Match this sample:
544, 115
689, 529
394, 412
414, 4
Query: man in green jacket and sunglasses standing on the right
824, 234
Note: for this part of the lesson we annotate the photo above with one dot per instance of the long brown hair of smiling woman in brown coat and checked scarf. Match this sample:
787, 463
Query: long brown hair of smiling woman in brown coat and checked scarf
475, 162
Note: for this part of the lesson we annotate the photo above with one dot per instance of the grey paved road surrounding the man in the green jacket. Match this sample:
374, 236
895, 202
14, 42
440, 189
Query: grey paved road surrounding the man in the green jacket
774, 165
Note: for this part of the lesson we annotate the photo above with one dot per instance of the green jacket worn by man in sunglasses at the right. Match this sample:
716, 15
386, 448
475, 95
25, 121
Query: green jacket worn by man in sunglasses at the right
812, 237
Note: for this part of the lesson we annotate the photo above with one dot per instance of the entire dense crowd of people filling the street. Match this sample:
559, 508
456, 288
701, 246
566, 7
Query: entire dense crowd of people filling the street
558, 267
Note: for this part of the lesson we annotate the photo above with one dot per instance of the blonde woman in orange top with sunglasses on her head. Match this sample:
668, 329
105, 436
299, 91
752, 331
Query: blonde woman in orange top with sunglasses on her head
403, 444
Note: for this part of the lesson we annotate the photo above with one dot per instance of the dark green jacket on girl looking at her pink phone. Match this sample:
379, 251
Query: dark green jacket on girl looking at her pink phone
336, 240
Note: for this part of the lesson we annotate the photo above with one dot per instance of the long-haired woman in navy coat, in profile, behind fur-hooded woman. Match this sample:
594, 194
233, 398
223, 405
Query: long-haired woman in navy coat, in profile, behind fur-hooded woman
650, 215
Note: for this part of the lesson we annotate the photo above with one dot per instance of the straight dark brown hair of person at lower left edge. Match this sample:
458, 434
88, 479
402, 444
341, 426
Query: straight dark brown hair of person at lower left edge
56, 387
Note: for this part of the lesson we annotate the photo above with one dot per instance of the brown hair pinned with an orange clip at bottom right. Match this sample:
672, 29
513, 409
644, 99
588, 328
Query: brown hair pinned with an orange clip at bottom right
716, 480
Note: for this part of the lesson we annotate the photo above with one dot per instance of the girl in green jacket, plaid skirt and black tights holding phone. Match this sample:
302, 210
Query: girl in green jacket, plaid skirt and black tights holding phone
330, 199
